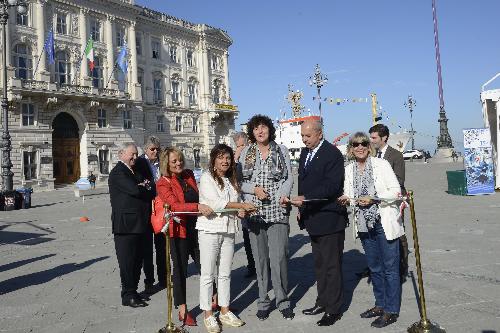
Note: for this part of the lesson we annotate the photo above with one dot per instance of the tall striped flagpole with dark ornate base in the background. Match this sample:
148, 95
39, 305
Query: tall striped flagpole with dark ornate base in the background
444, 139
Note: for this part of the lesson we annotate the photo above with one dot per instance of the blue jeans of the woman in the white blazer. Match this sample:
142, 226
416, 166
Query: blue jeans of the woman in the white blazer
383, 260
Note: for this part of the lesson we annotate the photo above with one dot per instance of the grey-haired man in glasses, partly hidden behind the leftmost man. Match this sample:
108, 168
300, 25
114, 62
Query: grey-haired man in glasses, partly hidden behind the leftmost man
148, 165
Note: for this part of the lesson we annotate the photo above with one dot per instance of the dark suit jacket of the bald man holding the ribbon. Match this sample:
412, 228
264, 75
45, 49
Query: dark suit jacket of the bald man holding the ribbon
323, 179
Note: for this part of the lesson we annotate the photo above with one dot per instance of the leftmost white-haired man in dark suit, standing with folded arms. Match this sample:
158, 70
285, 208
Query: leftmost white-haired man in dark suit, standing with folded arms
130, 195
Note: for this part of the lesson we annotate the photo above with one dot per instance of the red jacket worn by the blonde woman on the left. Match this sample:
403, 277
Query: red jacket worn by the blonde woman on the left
170, 191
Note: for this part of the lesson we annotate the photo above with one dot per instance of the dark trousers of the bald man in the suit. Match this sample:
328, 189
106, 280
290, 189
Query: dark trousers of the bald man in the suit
327, 252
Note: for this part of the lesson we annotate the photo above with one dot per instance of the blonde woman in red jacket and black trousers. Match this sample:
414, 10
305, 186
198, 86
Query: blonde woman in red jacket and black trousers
177, 187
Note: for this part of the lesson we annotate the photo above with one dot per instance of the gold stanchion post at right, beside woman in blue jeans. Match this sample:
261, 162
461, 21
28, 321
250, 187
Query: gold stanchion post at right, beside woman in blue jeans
424, 325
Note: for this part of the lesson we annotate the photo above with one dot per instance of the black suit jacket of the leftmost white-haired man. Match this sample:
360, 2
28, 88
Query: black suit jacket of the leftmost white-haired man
130, 203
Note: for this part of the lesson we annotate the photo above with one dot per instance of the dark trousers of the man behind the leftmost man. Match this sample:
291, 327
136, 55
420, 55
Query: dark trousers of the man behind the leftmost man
161, 268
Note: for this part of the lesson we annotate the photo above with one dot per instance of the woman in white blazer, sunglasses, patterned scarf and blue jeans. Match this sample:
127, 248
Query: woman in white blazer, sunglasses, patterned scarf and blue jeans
378, 224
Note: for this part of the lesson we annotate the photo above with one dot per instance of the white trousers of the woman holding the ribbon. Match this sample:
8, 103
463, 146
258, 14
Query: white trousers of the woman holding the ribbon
216, 258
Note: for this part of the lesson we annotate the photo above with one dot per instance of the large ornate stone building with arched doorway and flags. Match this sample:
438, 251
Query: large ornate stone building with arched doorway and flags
66, 119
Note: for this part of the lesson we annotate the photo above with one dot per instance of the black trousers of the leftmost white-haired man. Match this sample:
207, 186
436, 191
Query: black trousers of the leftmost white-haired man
130, 253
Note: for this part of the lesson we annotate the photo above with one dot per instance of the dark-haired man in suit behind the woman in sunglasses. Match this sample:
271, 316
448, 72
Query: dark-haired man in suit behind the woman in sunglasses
379, 134
